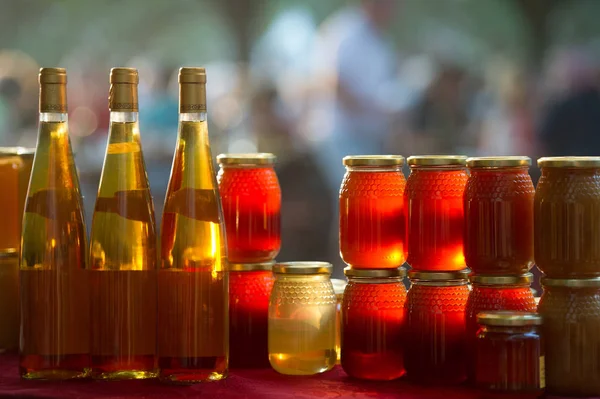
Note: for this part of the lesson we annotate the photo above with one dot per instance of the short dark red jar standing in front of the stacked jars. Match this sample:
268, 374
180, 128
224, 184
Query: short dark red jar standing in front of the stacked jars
510, 354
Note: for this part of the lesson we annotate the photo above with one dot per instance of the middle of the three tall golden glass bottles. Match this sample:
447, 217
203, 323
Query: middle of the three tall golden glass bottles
123, 247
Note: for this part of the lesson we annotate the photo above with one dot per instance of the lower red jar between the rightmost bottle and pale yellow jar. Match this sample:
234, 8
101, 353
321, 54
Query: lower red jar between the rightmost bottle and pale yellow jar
249, 290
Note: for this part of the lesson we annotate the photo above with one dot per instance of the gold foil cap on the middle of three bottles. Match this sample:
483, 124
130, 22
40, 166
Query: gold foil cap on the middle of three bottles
123, 96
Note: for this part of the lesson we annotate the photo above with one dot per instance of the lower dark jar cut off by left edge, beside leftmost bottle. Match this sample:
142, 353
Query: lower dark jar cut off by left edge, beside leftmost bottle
9, 300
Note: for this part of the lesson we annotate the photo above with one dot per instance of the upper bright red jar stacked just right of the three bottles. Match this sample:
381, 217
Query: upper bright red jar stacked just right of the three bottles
251, 199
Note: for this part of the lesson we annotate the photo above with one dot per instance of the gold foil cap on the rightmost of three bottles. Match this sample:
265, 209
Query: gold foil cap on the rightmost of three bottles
192, 90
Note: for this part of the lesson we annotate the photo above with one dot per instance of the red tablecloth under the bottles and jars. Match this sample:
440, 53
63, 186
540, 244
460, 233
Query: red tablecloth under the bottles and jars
261, 384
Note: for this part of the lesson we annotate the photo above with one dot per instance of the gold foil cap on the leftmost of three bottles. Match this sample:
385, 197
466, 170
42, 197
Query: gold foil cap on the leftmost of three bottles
53, 90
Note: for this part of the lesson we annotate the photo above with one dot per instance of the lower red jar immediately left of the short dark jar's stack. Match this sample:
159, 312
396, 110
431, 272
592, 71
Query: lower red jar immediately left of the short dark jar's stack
434, 333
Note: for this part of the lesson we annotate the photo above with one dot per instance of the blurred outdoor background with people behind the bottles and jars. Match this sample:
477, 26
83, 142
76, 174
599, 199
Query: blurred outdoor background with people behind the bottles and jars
312, 81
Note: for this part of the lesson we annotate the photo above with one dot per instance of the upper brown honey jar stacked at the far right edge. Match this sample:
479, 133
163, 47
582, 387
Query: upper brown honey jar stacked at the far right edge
567, 217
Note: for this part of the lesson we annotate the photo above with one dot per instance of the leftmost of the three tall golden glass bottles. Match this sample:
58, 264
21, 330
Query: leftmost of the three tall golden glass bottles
54, 285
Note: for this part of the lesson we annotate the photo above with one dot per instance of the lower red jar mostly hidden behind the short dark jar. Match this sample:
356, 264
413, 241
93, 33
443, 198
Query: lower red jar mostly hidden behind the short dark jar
491, 293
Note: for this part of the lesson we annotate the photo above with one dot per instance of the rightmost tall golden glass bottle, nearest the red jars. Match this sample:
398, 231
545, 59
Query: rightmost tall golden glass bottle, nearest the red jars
193, 341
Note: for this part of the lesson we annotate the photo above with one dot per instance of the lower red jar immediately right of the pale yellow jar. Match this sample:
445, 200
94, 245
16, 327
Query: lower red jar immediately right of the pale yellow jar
372, 318
